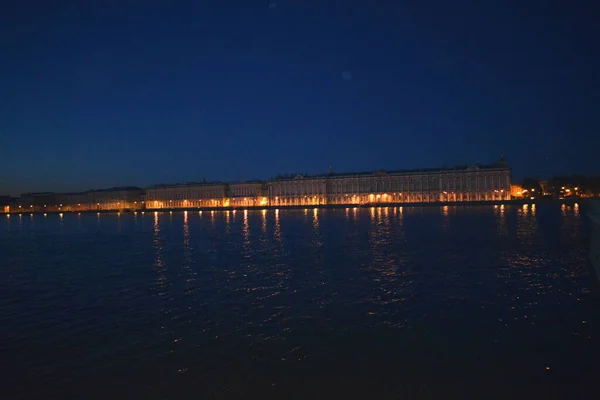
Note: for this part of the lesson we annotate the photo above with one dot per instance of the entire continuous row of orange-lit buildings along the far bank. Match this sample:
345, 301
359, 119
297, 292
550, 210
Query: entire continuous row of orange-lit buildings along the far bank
459, 184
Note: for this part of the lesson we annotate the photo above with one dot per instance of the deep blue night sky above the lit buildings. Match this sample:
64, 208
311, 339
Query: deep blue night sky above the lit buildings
104, 93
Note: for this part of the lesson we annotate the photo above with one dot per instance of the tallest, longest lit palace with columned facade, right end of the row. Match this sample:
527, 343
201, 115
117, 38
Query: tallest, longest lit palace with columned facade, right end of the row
472, 183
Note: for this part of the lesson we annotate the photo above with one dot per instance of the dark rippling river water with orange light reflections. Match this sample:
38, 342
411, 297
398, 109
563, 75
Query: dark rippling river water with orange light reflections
461, 302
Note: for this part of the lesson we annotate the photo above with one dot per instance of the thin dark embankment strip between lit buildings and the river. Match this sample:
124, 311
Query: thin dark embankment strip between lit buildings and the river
313, 206
